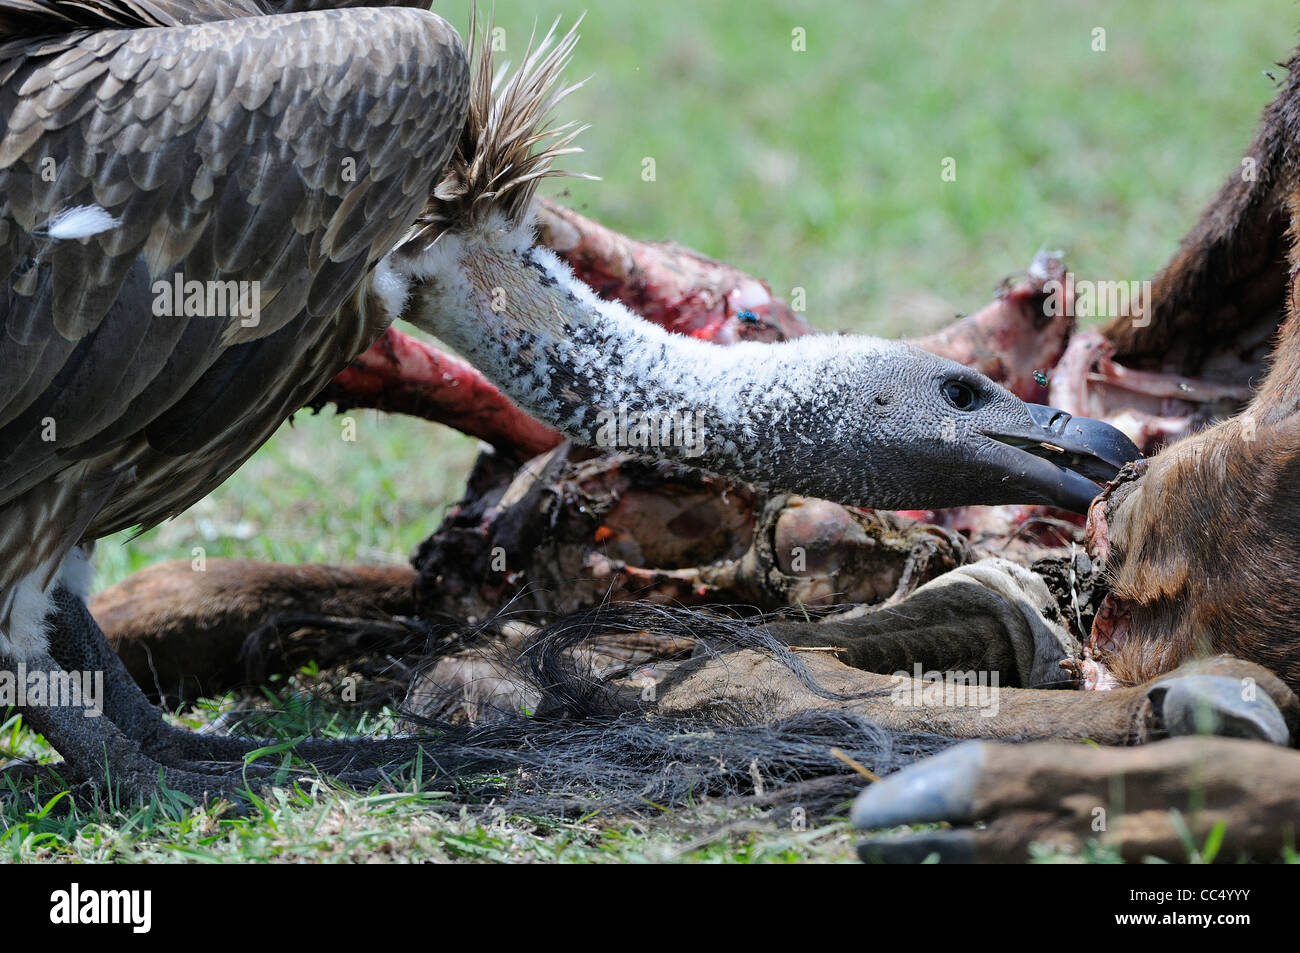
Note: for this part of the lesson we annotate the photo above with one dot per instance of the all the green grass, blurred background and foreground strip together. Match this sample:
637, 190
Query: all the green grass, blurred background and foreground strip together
816, 170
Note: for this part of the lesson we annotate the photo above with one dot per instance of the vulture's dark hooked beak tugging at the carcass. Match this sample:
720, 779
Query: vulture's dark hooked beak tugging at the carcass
1063, 460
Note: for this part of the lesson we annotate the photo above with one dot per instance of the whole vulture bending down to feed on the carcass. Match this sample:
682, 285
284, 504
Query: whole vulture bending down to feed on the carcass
211, 206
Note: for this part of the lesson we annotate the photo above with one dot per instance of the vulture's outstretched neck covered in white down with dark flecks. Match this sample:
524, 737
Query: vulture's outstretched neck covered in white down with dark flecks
770, 414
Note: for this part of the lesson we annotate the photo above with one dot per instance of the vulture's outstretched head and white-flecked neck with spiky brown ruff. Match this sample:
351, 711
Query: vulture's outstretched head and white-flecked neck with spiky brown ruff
851, 419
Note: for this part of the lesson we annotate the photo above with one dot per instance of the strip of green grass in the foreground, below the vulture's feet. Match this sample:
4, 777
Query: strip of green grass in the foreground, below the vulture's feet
324, 826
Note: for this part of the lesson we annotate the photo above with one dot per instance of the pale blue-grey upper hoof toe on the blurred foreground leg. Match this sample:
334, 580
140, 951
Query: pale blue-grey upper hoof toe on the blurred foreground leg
939, 789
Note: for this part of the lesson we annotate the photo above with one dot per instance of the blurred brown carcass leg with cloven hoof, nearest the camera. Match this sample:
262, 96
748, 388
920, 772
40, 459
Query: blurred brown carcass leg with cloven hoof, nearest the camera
1162, 800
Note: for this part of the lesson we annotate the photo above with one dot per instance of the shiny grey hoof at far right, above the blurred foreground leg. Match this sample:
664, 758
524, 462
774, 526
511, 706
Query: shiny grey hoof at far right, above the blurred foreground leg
1219, 705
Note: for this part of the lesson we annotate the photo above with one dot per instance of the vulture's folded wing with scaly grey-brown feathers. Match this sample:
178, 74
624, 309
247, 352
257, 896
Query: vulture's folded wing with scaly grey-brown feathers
292, 151
